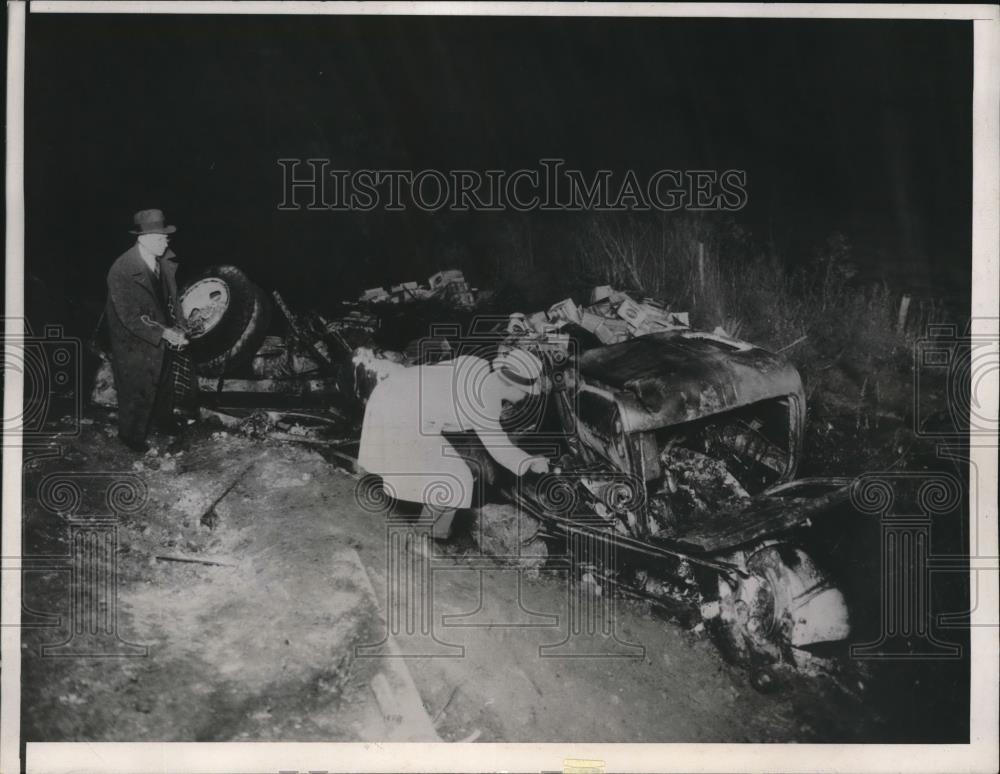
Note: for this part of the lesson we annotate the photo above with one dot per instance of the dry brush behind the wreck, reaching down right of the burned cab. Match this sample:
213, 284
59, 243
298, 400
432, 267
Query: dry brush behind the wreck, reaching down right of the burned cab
840, 332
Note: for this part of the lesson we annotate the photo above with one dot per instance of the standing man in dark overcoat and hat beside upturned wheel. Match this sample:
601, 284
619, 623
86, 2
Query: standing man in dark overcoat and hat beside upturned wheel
142, 312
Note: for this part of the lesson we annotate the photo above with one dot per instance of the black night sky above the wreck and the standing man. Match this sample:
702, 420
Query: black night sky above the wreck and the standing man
861, 127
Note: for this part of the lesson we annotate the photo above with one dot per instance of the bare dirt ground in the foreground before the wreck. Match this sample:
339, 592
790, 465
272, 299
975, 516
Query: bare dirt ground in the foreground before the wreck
265, 618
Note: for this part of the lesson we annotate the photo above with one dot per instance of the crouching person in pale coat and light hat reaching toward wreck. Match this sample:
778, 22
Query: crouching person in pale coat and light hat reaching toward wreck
406, 414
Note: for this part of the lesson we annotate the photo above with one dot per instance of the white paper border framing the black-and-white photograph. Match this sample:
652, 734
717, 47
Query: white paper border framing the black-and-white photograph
981, 754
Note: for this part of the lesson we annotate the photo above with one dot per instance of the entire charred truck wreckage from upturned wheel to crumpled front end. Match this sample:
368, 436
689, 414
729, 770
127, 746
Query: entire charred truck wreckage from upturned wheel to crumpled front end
674, 448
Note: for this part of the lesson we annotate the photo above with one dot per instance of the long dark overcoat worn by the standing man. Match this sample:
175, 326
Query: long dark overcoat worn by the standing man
137, 347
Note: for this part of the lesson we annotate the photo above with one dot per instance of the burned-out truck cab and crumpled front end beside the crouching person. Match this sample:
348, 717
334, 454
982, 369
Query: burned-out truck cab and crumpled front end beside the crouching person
678, 451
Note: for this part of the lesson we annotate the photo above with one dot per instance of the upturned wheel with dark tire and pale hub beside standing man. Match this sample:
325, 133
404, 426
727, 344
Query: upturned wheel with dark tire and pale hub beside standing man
233, 314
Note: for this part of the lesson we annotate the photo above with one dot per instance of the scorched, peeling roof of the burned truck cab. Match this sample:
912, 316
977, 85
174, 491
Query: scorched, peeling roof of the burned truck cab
679, 376
